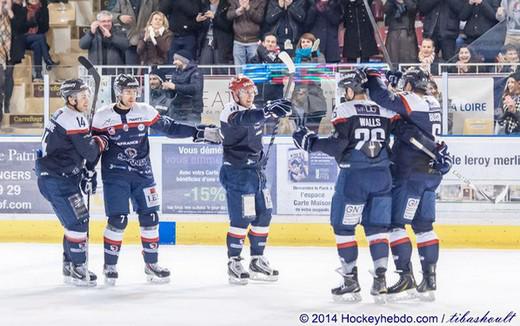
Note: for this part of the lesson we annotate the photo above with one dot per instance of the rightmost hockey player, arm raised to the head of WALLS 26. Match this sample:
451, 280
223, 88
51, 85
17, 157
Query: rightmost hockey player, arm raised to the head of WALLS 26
415, 176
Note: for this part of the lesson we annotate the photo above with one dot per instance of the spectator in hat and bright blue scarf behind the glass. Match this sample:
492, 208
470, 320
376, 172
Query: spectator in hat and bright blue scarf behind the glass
309, 104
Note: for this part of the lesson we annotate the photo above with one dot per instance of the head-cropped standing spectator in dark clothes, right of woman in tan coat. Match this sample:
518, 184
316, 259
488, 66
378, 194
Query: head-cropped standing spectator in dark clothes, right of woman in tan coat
185, 17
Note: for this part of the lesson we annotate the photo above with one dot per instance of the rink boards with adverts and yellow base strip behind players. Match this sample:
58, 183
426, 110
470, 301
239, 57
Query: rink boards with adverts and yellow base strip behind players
302, 185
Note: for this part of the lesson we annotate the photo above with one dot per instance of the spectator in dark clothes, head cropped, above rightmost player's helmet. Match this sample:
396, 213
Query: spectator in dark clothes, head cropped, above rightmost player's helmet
441, 23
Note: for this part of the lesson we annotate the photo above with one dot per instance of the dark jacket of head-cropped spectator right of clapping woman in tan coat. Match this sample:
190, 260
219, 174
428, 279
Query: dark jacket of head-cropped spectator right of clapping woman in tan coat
181, 15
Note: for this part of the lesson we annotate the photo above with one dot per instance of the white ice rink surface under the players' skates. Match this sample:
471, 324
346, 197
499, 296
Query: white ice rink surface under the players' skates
32, 291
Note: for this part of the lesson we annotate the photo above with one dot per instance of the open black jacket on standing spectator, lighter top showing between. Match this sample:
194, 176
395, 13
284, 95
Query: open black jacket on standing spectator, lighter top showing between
222, 30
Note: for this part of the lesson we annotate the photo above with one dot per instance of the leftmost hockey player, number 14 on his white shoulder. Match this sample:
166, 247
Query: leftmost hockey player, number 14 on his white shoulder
66, 145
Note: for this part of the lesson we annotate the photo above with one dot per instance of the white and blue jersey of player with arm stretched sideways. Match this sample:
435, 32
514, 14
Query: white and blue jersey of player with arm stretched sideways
129, 149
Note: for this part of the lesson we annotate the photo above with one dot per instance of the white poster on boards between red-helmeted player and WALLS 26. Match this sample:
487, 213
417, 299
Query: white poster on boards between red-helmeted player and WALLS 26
305, 180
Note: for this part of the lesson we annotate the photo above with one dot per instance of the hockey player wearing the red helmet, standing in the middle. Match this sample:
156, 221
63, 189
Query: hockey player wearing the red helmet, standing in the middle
242, 176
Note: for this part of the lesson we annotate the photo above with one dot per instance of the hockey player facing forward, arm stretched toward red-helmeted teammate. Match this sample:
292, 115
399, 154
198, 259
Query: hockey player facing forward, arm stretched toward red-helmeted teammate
127, 172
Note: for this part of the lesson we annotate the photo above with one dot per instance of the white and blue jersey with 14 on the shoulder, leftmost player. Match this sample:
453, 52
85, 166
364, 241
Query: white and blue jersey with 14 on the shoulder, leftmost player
66, 145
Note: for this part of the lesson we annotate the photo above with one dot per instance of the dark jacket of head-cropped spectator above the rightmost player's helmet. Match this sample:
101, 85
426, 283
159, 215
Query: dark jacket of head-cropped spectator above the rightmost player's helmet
444, 13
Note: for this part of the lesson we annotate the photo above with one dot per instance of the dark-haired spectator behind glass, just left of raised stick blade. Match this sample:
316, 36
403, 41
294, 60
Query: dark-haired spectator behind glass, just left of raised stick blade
269, 89
